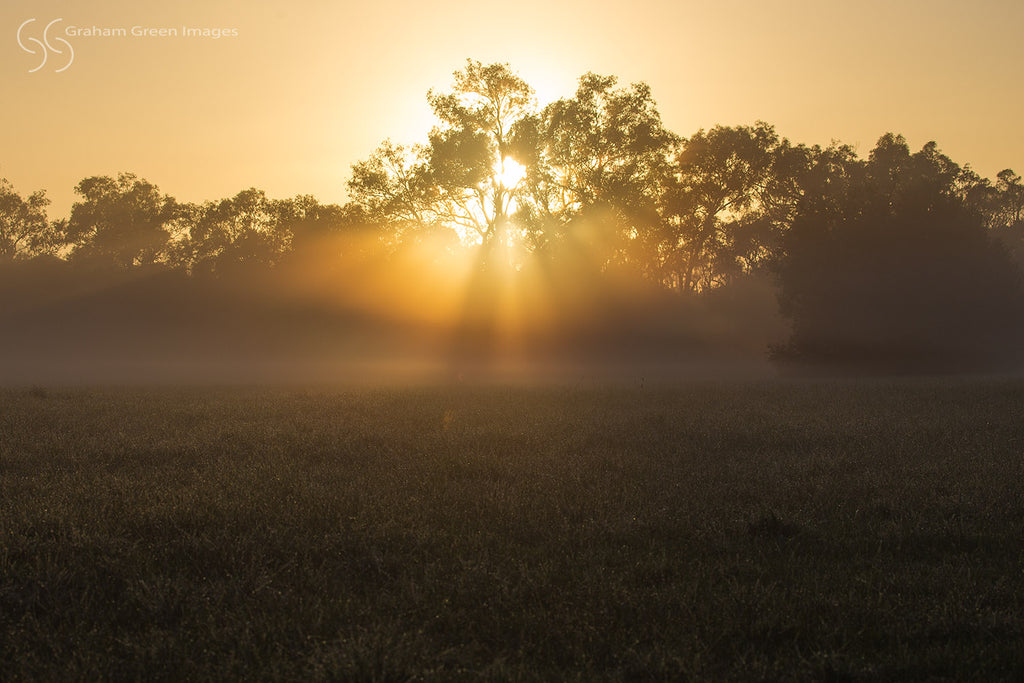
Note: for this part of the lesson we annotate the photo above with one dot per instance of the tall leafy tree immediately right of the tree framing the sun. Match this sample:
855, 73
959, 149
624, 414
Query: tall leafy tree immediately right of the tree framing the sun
599, 164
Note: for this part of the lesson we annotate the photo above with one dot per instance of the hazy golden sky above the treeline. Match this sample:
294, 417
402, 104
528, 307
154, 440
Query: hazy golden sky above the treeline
309, 88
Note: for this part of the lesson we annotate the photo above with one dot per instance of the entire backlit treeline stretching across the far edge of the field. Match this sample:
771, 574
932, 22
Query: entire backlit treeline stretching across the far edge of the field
901, 261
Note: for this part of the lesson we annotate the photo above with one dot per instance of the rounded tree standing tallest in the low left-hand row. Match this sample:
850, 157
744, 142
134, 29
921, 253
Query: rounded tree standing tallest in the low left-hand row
124, 222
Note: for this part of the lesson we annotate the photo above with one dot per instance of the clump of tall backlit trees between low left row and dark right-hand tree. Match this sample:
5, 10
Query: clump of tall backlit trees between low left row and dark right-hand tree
598, 175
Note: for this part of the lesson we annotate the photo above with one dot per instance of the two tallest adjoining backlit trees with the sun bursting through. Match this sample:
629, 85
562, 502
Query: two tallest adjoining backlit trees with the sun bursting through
502, 174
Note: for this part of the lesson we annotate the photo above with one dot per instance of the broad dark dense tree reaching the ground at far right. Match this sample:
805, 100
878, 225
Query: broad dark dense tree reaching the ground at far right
898, 271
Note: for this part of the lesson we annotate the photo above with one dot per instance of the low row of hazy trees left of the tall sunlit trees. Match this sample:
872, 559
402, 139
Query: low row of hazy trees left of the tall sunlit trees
126, 223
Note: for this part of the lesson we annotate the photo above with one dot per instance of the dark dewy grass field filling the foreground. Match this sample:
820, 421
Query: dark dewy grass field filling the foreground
787, 531
